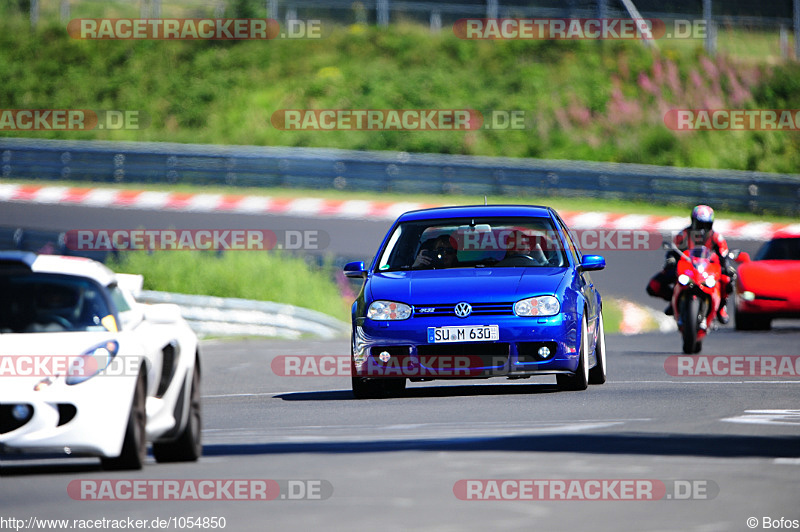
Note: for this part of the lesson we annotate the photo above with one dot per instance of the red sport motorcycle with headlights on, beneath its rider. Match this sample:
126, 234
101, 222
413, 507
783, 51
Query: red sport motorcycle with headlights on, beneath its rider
696, 296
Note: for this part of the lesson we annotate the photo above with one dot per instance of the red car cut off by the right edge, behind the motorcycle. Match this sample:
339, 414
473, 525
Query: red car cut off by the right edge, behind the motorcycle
768, 287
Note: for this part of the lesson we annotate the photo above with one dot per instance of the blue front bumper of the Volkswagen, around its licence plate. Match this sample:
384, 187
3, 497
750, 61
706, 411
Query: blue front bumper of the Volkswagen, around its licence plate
402, 349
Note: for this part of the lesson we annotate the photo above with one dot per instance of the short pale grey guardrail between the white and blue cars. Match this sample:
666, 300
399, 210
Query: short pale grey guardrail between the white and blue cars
217, 316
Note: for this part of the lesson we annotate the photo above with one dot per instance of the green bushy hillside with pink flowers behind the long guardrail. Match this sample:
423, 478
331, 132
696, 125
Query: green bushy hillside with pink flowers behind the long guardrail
585, 99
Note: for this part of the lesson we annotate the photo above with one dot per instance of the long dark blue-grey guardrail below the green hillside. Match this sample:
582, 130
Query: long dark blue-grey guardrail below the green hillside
172, 163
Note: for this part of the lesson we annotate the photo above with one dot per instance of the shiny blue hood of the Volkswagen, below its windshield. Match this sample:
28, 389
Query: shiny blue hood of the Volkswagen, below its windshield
476, 285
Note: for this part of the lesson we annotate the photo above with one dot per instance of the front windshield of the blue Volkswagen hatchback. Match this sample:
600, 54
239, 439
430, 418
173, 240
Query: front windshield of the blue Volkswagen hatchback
473, 243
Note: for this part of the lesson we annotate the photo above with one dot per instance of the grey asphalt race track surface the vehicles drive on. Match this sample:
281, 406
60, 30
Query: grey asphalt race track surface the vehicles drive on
392, 464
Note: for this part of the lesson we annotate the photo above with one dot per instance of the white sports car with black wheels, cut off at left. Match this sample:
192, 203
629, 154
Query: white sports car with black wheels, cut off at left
86, 370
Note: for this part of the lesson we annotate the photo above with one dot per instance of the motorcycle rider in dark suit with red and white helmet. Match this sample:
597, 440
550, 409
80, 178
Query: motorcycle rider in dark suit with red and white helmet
698, 233
